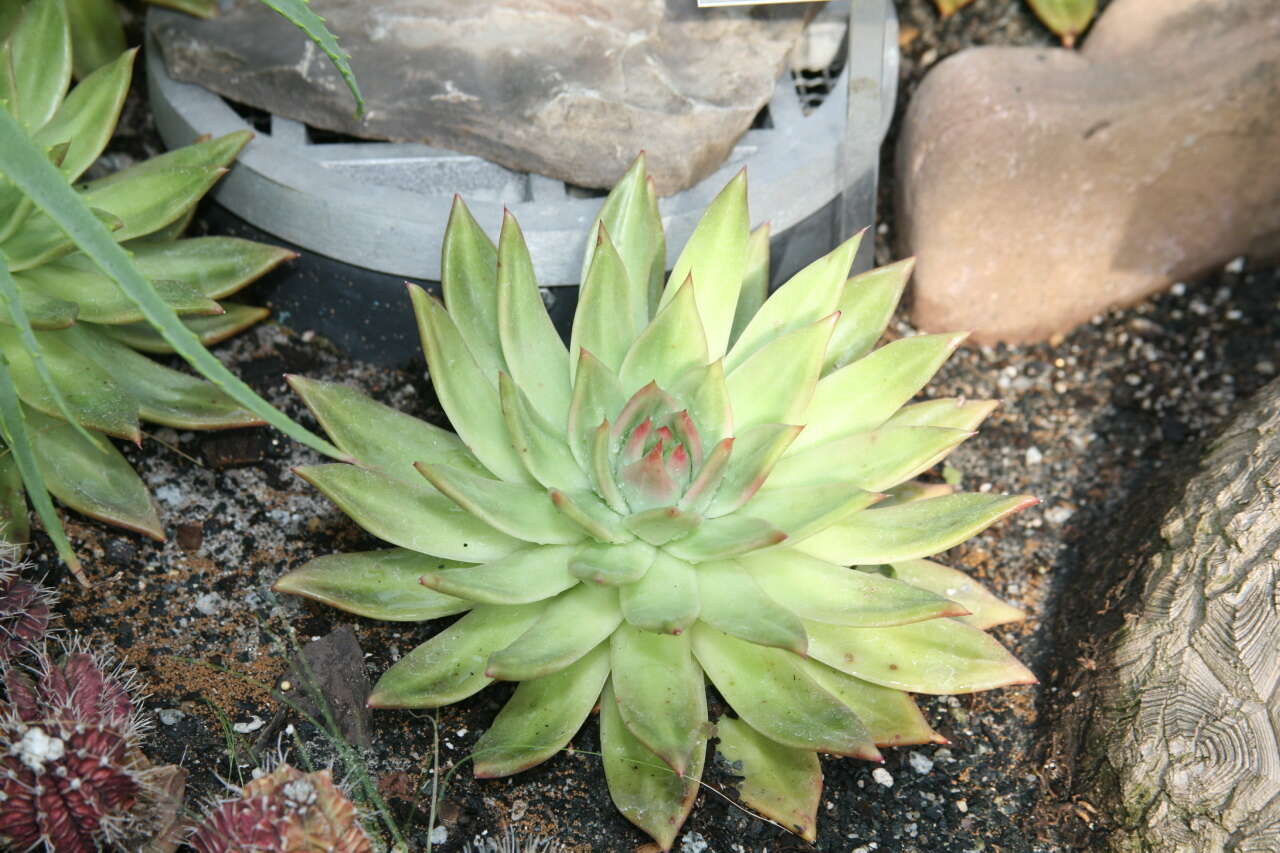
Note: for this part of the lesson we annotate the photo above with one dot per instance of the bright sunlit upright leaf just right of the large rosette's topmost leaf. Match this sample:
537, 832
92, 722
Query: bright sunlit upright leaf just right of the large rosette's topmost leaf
716, 259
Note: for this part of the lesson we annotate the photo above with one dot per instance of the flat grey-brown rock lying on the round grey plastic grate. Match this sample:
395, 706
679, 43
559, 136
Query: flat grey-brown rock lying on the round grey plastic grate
569, 89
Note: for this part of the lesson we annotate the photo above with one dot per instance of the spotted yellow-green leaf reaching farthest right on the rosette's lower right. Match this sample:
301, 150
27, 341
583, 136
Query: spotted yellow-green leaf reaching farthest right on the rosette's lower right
936, 656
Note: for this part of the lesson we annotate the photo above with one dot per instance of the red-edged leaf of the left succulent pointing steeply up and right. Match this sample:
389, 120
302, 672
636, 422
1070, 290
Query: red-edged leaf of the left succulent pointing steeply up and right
86, 120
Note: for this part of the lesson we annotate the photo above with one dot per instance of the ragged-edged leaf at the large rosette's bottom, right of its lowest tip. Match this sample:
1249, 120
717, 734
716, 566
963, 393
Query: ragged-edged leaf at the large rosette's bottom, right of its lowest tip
781, 783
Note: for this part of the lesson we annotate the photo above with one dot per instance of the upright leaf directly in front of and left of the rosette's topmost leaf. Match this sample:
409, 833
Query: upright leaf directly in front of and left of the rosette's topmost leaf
611, 312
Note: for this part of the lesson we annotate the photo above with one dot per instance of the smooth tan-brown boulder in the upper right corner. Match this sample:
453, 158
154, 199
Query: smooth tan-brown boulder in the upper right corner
1040, 186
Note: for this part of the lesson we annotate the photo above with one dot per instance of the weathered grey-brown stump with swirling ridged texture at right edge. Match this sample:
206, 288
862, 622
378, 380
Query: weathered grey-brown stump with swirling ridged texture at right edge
1183, 747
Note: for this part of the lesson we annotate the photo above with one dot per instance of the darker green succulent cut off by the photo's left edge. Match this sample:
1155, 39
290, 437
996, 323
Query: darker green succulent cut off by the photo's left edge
72, 341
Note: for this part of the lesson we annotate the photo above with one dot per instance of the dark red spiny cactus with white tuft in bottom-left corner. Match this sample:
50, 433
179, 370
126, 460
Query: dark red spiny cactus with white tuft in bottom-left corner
71, 773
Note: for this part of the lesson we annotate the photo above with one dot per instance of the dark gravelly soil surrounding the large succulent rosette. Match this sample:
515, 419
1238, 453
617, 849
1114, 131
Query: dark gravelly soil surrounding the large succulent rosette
1091, 426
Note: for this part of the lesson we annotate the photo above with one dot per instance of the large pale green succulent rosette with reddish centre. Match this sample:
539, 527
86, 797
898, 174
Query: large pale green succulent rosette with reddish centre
676, 496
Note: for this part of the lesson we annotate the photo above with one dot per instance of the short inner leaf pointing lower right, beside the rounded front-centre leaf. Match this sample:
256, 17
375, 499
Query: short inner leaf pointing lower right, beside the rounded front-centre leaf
733, 603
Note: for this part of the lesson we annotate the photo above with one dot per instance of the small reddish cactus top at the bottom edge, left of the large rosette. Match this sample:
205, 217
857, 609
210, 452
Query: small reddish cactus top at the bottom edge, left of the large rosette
285, 811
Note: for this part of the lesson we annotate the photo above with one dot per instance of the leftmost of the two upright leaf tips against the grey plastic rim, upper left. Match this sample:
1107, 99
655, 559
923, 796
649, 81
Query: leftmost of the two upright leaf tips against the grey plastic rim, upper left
469, 279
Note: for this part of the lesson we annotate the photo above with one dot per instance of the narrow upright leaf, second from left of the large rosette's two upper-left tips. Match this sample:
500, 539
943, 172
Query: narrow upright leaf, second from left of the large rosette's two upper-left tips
532, 346
